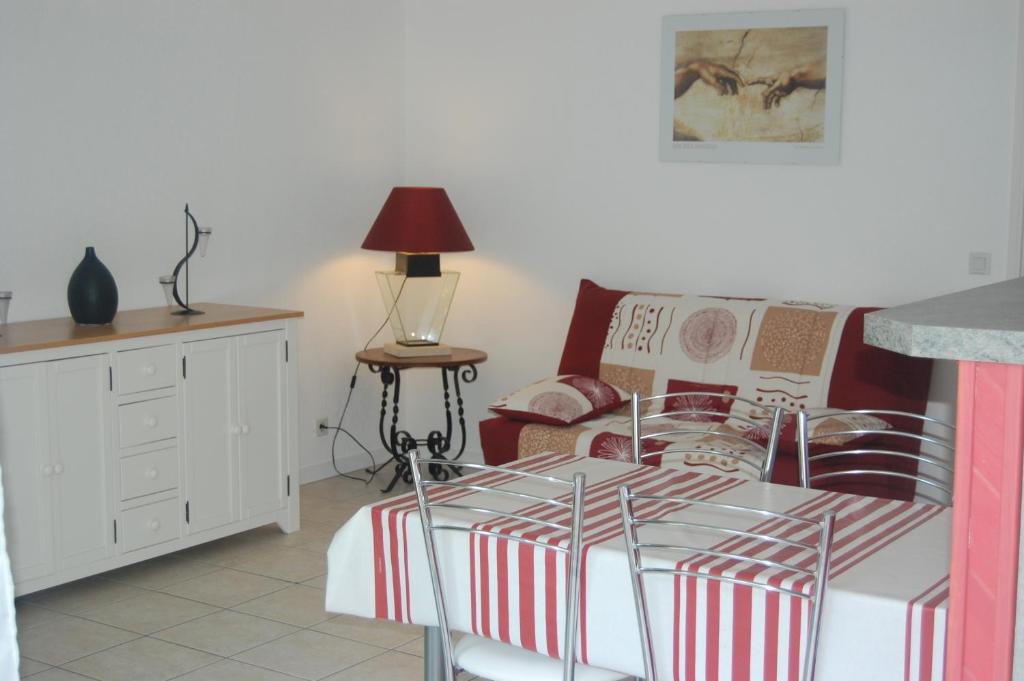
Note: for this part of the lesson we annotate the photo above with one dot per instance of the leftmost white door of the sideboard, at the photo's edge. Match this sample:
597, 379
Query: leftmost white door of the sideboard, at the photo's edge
25, 456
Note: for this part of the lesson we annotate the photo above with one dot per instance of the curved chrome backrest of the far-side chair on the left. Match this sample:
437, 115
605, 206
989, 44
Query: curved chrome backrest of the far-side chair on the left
679, 418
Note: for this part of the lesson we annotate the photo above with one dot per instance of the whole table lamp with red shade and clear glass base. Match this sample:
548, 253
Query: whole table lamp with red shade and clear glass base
418, 224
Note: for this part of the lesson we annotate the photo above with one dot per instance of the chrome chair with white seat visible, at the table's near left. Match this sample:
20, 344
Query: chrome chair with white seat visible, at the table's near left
483, 657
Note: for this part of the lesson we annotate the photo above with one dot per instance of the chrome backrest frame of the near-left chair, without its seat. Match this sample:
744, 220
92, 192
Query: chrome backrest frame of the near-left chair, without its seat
562, 515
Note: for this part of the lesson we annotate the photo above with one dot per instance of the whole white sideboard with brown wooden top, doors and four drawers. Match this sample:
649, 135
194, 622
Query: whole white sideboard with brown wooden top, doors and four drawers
155, 434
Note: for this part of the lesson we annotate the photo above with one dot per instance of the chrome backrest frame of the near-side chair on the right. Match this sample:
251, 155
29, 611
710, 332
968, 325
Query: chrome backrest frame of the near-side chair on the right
674, 548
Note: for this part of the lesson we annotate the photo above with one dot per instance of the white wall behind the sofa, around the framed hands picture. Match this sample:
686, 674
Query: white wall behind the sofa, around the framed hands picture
541, 119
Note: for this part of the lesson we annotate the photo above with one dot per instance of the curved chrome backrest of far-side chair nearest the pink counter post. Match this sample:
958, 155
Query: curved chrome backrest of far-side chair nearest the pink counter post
916, 448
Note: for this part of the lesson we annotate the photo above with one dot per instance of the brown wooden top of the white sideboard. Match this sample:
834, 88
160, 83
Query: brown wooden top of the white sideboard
44, 334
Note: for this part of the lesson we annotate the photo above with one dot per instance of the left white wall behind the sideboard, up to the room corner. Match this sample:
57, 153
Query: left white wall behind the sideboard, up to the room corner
280, 122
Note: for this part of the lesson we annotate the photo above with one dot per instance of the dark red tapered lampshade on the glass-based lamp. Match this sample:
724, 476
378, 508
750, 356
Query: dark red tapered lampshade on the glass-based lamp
418, 220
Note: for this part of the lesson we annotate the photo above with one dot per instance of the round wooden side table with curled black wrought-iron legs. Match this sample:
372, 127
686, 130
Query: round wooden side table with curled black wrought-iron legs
461, 365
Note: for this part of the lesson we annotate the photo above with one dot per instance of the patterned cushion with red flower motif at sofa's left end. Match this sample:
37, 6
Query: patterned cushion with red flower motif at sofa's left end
562, 401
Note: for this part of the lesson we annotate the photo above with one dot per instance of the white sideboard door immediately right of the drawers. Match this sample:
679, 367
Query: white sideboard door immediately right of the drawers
211, 449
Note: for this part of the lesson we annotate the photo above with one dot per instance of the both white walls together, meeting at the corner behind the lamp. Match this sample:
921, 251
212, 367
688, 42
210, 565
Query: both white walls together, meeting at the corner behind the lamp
286, 123
